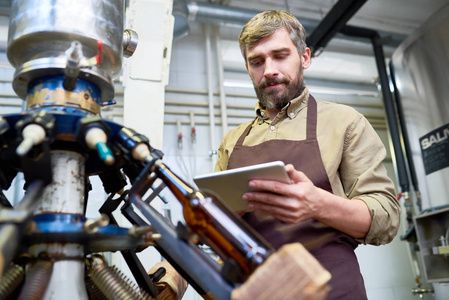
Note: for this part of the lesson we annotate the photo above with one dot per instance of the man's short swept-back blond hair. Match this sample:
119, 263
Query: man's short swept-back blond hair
265, 24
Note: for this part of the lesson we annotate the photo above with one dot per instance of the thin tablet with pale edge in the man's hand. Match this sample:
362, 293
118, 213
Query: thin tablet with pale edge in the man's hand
230, 185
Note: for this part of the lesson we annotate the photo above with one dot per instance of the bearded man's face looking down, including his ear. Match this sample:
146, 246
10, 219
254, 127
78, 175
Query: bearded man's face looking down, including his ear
275, 67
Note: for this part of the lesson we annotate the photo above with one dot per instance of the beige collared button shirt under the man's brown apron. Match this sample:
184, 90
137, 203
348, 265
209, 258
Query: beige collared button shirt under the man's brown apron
351, 151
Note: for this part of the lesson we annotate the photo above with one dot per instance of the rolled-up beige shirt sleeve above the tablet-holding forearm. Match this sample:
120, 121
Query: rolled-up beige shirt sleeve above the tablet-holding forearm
364, 177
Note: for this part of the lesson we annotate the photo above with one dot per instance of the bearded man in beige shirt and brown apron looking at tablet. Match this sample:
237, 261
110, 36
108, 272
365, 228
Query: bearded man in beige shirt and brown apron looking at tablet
340, 195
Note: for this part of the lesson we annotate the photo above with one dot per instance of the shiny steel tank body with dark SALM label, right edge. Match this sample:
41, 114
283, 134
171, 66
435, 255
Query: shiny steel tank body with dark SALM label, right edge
421, 65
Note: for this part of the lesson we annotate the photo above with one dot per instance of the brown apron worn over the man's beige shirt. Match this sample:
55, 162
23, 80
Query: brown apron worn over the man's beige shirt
332, 248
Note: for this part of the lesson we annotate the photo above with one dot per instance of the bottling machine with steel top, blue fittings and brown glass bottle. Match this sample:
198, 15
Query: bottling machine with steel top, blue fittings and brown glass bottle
65, 56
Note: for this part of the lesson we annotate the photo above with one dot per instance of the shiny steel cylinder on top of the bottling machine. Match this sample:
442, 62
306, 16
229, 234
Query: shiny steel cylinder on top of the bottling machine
40, 33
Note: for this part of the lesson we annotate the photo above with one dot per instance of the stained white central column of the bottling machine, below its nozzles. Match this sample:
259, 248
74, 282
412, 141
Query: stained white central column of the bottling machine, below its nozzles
64, 195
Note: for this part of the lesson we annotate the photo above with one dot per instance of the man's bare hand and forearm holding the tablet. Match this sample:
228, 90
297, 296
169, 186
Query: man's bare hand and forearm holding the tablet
302, 200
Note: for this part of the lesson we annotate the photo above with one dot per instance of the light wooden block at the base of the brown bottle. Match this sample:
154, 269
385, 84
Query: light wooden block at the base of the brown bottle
290, 273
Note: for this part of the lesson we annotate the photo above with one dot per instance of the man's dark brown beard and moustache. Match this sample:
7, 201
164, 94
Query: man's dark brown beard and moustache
278, 99
